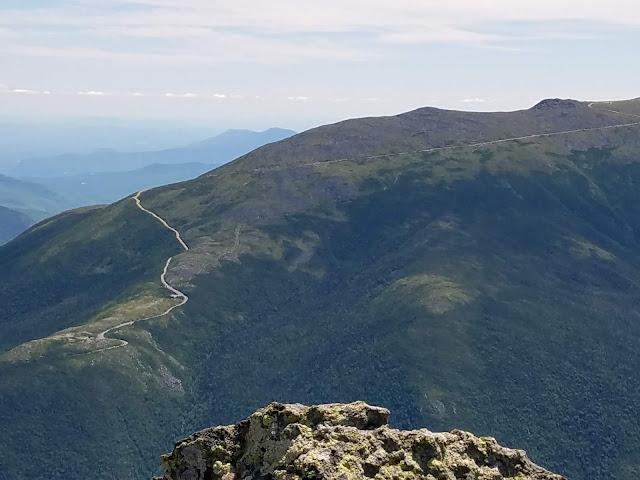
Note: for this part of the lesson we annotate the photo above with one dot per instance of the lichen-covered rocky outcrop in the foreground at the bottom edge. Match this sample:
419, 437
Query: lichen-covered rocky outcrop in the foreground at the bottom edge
341, 442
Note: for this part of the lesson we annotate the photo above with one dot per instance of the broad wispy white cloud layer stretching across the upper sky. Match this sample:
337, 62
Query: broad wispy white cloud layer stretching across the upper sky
202, 31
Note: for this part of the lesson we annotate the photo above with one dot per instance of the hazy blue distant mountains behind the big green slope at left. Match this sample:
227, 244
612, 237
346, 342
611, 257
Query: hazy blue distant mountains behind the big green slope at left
51, 185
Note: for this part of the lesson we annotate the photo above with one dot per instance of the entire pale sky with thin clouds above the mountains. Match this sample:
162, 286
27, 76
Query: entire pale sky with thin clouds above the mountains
295, 63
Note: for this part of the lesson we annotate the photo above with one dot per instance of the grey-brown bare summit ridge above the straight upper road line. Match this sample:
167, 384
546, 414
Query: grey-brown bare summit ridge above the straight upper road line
437, 128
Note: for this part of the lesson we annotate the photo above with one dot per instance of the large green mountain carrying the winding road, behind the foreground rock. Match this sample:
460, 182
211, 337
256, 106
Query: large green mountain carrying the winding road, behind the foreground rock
492, 288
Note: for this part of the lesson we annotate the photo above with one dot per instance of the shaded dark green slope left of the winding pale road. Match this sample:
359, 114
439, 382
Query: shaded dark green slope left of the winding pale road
53, 279
